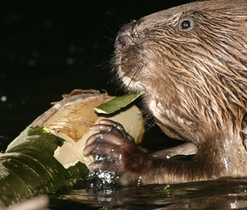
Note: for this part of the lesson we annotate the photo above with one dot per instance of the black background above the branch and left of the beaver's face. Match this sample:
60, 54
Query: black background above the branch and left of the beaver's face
51, 47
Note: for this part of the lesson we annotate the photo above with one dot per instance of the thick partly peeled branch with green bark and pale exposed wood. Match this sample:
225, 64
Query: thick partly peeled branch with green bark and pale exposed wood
48, 153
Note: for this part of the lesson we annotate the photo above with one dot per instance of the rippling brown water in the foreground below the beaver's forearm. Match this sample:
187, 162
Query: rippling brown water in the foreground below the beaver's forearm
224, 194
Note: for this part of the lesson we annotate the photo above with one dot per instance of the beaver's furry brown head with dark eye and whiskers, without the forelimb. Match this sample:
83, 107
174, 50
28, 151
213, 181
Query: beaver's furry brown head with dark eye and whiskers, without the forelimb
191, 62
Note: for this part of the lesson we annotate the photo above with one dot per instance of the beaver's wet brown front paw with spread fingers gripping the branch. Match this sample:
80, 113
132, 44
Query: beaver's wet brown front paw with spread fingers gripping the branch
120, 155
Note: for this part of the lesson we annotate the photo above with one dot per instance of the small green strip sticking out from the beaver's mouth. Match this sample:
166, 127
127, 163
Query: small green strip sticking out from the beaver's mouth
117, 103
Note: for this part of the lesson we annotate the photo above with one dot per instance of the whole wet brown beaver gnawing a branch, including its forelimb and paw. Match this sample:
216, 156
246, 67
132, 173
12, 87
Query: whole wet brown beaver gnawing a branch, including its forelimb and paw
191, 63
